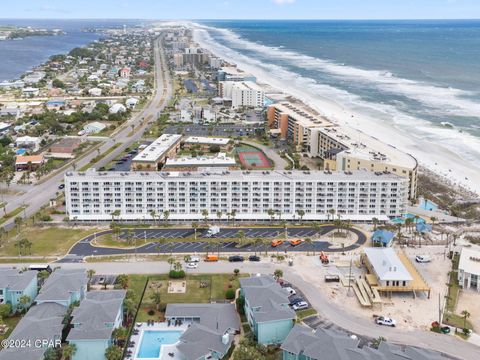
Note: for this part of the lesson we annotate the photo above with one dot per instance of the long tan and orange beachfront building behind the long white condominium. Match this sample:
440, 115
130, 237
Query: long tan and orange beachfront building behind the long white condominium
341, 147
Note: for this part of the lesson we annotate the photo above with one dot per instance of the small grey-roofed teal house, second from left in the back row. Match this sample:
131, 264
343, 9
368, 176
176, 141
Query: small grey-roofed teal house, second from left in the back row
64, 287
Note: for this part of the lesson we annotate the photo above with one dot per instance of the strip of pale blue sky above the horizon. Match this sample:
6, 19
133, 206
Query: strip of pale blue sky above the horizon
242, 9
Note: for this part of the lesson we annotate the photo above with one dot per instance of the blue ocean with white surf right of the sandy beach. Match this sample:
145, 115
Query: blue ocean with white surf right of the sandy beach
419, 78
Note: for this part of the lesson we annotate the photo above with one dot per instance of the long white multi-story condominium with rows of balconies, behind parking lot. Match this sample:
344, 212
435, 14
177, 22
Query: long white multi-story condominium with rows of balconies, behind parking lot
358, 195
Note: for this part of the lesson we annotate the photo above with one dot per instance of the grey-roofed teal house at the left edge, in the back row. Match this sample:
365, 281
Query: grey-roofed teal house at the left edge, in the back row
14, 284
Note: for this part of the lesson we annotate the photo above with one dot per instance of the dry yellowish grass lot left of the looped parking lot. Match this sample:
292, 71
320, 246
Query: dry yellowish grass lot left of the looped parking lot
54, 241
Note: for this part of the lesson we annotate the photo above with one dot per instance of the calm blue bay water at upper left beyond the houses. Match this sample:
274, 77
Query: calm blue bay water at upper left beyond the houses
18, 56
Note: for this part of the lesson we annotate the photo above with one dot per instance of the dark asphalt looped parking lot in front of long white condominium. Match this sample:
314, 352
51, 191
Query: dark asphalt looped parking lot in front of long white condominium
85, 248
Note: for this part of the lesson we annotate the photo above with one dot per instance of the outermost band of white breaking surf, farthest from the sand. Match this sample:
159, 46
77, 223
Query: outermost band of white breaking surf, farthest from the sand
446, 100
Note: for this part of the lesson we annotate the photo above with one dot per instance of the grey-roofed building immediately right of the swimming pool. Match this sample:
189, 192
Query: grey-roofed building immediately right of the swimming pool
211, 332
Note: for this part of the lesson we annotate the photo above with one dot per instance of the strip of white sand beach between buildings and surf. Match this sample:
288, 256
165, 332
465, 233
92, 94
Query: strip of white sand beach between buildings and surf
447, 165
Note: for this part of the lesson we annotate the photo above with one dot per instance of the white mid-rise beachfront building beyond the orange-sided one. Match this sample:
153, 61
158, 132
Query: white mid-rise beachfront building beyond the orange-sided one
245, 93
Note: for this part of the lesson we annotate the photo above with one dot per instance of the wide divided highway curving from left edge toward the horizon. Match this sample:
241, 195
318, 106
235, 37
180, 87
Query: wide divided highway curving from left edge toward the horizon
36, 196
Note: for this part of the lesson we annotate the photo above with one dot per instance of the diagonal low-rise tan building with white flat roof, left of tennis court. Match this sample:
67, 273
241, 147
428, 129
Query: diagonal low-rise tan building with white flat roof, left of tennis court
155, 154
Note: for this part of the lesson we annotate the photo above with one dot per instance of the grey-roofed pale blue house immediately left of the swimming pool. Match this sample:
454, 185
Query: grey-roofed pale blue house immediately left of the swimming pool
93, 323
